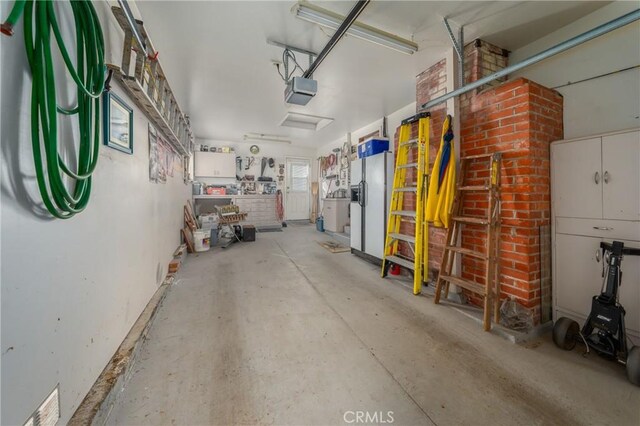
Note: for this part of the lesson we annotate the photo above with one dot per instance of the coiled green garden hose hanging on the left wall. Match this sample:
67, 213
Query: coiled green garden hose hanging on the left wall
52, 172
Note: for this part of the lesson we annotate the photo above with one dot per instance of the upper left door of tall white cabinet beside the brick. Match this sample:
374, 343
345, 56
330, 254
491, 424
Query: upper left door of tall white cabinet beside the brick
577, 178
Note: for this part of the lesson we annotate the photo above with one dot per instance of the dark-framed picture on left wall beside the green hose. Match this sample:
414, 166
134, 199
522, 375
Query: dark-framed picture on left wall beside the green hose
117, 123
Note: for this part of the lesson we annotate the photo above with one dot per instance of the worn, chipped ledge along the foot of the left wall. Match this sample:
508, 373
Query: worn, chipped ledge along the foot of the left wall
97, 404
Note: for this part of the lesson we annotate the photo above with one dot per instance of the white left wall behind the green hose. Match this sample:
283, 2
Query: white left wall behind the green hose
71, 289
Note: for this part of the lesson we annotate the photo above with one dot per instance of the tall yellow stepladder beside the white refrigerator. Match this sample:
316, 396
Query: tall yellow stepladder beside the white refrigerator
409, 182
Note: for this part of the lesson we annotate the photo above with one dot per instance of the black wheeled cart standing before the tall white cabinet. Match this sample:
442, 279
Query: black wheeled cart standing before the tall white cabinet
604, 330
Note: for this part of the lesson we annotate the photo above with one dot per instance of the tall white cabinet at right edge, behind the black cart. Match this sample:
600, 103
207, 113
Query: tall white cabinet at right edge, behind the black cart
595, 190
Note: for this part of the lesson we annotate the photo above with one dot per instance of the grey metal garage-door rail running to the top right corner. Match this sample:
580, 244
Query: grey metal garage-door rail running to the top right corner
559, 48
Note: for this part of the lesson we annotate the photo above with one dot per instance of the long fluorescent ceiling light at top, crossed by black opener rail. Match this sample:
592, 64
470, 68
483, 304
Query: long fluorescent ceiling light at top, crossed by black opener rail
326, 18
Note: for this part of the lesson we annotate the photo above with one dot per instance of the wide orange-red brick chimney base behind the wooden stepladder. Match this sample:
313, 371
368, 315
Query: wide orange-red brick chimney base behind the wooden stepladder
519, 118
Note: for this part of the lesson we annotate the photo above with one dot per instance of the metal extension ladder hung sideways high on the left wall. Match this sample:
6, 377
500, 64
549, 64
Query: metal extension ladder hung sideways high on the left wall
148, 86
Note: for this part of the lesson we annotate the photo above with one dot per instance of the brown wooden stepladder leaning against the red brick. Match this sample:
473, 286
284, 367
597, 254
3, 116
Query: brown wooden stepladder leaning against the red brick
490, 291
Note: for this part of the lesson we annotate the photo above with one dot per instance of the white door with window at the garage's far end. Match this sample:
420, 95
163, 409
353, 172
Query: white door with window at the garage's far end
297, 191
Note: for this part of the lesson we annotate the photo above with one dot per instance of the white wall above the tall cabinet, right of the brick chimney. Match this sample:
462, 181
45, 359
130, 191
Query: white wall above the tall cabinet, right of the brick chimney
601, 105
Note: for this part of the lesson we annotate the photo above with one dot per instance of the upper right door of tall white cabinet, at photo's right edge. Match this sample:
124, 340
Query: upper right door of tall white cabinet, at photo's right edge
621, 176
